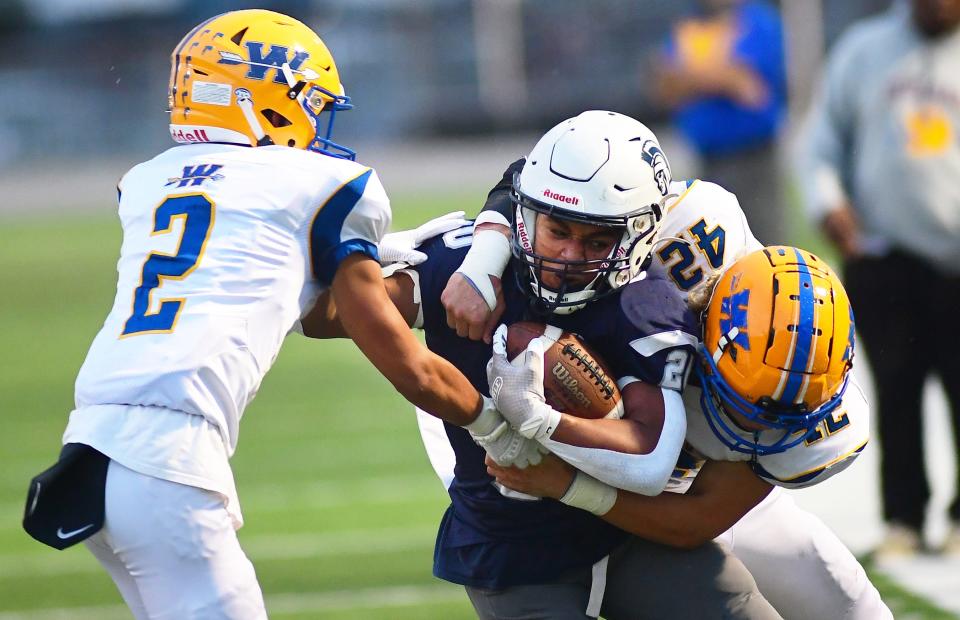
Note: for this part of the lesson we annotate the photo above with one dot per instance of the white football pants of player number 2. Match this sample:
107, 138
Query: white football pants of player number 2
172, 551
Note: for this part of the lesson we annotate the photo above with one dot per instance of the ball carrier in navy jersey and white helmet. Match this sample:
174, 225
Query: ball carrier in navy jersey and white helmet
590, 199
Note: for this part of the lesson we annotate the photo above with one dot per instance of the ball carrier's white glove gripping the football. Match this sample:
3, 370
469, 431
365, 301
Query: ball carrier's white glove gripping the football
517, 388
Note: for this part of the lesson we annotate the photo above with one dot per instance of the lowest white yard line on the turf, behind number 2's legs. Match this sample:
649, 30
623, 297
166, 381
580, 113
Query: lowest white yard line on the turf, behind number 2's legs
280, 604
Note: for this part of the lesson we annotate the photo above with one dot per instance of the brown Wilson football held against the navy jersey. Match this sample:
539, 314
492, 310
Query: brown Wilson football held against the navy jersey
575, 380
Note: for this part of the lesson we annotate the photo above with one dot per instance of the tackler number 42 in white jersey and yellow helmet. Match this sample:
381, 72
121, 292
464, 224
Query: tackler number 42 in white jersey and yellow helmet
739, 480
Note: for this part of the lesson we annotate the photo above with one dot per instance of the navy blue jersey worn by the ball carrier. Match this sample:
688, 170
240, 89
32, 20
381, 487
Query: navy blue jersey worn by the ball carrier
487, 540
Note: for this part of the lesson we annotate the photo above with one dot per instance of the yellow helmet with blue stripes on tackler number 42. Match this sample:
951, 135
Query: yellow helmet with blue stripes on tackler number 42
777, 347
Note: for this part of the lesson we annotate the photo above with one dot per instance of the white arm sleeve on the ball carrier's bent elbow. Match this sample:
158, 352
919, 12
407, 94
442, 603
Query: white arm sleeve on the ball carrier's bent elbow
646, 474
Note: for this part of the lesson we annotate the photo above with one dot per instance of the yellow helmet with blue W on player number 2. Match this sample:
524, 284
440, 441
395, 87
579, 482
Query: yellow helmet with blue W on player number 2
255, 77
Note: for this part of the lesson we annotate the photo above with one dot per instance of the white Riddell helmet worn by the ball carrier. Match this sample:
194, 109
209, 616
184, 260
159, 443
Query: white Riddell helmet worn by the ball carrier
599, 168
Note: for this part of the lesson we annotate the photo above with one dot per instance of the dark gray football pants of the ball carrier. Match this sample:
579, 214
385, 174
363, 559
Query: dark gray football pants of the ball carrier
644, 580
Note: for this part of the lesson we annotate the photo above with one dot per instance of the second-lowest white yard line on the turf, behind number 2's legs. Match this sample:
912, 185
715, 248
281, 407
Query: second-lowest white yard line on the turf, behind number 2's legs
44, 562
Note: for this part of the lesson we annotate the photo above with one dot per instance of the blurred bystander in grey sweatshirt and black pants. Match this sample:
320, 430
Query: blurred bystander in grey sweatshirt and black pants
883, 164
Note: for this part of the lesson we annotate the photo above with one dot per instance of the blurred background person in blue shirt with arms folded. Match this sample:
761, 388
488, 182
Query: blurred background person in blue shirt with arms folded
723, 75
